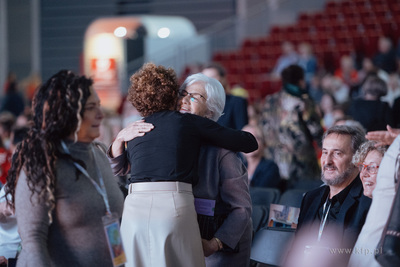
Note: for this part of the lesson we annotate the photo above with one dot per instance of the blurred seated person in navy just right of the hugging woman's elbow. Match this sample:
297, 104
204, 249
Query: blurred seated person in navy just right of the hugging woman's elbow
262, 172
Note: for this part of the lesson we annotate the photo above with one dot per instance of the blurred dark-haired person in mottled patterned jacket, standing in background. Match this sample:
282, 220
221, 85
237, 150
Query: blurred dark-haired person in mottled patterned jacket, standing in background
292, 128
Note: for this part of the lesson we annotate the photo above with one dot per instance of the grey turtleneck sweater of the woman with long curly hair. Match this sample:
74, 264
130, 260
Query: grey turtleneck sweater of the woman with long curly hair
76, 236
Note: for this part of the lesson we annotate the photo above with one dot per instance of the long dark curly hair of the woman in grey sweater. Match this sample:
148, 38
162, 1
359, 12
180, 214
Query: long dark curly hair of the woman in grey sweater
57, 113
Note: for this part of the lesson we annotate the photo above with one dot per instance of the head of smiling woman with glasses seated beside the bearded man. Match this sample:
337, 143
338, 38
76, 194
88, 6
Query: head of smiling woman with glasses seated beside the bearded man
368, 158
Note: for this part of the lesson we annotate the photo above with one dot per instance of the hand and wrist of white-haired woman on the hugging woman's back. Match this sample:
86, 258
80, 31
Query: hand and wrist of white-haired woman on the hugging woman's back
133, 130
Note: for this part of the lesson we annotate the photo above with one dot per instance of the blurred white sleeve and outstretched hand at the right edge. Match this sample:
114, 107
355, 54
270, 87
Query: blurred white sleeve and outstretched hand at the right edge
365, 248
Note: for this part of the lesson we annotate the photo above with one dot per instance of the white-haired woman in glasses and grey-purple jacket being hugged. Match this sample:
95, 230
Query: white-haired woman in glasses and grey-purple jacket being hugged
223, 201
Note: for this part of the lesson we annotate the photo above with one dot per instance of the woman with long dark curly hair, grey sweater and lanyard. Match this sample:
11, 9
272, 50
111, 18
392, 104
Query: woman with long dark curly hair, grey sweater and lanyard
60, 183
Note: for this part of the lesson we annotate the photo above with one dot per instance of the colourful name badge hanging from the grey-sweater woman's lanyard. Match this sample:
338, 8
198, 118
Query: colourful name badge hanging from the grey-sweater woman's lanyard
114, 240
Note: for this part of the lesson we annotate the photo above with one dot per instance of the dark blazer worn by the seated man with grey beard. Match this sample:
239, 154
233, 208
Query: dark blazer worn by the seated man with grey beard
352, 215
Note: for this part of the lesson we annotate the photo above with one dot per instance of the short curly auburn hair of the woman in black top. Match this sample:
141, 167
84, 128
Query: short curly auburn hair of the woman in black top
153, 88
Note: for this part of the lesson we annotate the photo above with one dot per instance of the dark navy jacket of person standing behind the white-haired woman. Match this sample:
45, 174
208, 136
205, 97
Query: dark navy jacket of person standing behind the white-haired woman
235, 113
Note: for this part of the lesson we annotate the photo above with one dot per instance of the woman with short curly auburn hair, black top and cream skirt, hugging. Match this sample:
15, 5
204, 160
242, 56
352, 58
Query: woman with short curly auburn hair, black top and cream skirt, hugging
159, 224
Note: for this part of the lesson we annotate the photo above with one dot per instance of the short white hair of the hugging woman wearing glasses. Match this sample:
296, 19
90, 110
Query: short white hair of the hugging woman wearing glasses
215, 93
